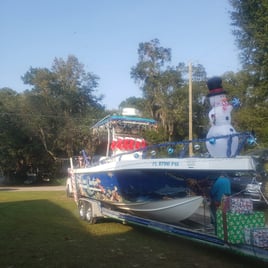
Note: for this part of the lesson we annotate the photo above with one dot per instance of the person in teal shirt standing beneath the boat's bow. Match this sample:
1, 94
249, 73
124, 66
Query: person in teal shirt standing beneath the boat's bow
221, 188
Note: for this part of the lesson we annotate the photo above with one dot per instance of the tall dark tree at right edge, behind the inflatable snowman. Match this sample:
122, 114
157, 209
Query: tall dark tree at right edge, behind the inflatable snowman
250, 20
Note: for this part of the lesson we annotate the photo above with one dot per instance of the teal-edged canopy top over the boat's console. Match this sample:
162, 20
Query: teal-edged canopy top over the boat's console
124, 119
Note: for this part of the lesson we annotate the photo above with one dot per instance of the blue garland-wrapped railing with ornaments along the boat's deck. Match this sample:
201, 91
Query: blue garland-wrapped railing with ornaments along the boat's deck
176, 149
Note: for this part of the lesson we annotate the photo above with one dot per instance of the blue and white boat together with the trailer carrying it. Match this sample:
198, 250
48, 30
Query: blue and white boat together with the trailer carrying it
159, 186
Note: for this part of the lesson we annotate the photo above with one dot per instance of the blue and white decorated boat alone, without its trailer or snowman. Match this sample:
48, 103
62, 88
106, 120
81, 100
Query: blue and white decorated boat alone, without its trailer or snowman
157, 181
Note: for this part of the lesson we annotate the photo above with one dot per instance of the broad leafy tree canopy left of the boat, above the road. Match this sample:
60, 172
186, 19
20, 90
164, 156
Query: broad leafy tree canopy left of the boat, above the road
51, 121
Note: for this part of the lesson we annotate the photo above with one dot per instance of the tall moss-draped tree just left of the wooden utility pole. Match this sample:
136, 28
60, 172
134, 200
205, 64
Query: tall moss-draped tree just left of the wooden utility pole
159, 84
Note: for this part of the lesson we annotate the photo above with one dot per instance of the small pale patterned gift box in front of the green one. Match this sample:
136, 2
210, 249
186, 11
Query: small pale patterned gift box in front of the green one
257, 237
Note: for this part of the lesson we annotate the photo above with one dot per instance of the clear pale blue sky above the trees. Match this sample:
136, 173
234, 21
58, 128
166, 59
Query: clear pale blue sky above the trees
104, 35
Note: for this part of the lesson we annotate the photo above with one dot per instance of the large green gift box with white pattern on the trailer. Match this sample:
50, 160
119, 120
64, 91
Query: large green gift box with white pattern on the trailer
231, 226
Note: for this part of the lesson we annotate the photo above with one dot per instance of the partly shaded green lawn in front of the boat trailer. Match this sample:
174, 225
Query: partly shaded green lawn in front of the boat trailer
42, 229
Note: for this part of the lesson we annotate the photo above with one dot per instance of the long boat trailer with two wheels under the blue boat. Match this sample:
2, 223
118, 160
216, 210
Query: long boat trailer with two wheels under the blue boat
90, 210
